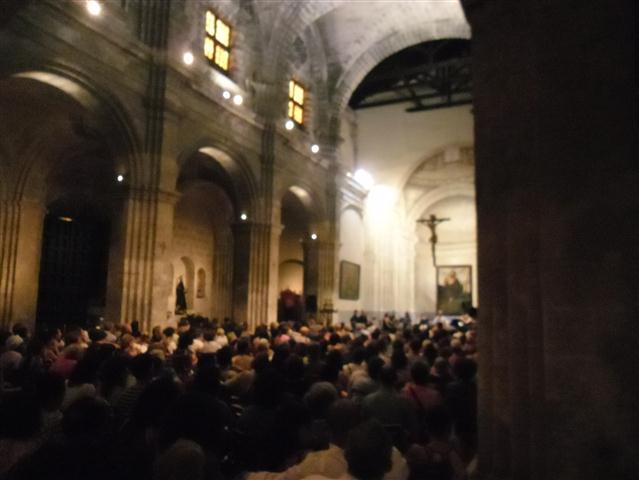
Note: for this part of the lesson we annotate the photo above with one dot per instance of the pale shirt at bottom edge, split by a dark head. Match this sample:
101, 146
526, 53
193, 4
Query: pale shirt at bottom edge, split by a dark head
330, 464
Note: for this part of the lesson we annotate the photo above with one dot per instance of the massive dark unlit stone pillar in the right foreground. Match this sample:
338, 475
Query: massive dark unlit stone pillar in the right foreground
556, 102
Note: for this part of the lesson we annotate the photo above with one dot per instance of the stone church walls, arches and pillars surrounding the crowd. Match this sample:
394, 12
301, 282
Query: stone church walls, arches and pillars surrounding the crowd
138, 184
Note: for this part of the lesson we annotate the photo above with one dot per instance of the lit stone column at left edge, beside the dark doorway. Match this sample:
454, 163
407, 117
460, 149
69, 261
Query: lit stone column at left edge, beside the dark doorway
20, 248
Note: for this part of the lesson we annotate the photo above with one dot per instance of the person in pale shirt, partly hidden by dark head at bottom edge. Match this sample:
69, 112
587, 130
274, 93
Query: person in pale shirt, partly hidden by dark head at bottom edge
343, 417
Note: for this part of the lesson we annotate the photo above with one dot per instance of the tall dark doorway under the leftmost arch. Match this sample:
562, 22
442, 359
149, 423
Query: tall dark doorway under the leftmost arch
73, 269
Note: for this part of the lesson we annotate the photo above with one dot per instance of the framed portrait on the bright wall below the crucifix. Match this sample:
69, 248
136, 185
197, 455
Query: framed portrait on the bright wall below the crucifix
454, 289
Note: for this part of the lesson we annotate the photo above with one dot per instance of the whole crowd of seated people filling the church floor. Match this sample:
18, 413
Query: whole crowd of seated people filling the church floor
210, 400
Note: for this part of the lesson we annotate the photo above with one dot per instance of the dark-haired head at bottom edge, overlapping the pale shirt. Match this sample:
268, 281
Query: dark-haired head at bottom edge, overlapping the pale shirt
368, 451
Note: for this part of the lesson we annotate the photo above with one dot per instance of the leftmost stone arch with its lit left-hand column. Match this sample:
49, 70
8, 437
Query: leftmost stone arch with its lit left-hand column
89, 123
